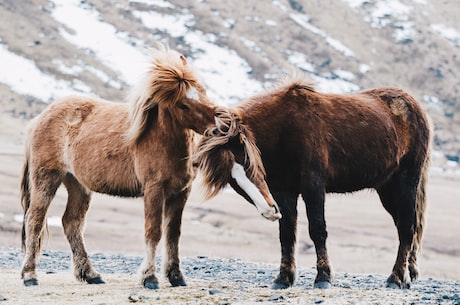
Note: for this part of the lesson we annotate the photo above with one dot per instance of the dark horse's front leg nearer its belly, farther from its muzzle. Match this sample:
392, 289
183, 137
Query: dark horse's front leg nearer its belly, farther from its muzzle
314, 201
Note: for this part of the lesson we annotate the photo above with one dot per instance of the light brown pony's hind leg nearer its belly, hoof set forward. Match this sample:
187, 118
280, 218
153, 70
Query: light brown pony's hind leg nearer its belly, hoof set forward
73, 221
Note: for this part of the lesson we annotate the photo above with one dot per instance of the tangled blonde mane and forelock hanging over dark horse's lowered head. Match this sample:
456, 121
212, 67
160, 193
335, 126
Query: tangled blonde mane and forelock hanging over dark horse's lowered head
214, 160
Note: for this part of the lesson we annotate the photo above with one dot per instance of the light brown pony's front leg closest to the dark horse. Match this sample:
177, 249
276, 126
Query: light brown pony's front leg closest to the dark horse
173, 219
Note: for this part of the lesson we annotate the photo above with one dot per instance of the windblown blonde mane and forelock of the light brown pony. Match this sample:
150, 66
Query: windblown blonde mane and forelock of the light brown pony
165, 83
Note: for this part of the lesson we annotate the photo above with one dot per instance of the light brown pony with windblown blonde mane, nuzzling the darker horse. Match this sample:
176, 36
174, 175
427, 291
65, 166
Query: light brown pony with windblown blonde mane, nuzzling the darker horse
136, 149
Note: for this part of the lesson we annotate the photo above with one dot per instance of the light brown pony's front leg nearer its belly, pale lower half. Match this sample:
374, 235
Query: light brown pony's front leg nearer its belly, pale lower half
153, 210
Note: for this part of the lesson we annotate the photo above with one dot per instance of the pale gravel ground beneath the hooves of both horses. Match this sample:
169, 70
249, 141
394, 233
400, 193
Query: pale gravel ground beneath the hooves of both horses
233, 281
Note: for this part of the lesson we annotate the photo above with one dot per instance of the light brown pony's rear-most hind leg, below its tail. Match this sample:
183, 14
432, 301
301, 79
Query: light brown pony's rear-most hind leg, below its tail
42, 189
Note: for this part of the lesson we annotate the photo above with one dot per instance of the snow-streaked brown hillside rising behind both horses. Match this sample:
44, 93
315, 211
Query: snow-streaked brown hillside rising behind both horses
53, 48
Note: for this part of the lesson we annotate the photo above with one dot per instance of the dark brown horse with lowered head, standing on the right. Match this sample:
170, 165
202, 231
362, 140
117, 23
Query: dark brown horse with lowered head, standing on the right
313, 143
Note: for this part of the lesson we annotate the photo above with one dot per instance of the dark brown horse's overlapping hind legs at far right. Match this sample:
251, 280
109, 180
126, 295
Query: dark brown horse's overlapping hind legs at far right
398, 196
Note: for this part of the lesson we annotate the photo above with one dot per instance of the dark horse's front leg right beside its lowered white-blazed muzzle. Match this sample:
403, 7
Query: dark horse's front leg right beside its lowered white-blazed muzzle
287, 228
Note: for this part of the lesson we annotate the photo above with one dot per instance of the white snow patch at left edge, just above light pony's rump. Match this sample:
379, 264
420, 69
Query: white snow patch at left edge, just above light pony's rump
24, 77
